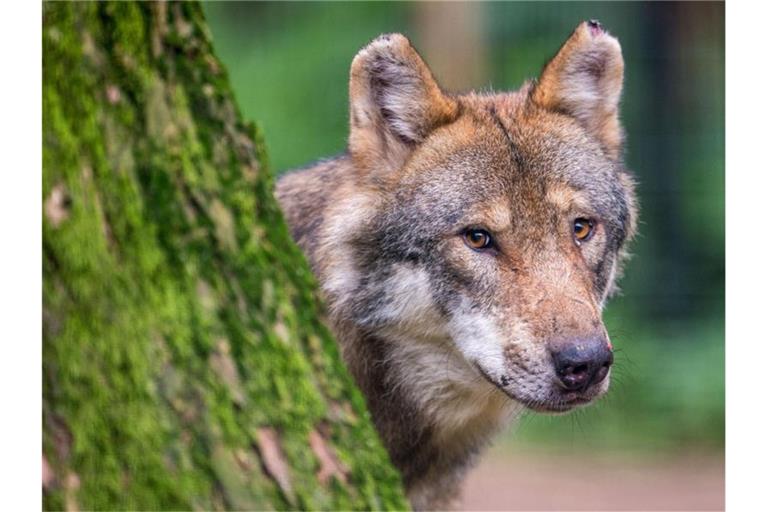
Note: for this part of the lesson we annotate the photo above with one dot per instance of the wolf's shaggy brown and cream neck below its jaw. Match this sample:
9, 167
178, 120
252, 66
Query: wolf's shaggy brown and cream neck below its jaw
433, 410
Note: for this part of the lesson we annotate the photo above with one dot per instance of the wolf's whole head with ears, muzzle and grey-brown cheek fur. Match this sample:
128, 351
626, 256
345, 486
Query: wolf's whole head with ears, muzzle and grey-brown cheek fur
487, 229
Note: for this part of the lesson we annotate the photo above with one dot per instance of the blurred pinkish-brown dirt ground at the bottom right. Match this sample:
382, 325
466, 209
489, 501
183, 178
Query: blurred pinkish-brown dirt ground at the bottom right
586, 482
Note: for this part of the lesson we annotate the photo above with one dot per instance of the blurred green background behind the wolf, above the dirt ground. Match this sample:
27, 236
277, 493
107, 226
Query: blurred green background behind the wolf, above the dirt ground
289, 63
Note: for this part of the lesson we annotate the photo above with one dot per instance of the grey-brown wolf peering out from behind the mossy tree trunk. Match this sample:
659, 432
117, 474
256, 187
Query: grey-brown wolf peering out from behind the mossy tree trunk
465, 245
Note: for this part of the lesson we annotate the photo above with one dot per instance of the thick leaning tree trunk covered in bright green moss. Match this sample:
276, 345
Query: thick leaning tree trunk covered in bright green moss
184, 362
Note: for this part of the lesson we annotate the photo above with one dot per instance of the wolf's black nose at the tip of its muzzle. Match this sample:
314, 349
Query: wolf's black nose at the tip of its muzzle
582, 363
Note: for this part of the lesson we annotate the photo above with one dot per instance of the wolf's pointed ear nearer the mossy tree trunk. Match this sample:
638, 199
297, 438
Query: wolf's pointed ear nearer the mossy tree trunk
394, 102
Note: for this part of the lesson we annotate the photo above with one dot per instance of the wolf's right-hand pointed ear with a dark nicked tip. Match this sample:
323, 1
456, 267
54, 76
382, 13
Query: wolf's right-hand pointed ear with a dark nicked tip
584, 81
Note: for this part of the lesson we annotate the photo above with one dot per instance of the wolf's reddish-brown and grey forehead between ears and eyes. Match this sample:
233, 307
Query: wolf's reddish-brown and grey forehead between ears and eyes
501, 157
